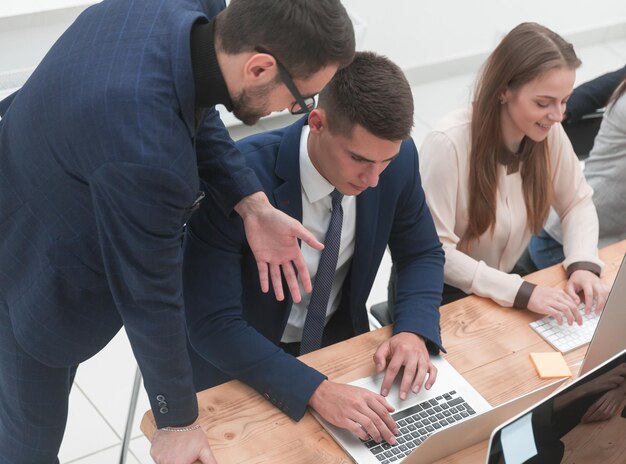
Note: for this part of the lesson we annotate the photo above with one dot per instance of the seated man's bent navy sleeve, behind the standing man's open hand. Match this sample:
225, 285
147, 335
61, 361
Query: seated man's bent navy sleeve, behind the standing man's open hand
215, 253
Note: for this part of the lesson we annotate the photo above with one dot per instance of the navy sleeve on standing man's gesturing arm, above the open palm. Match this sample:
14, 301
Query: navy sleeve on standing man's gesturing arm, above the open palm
221, 166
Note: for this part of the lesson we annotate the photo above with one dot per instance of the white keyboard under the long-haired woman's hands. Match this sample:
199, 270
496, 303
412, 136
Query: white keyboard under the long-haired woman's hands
566, 337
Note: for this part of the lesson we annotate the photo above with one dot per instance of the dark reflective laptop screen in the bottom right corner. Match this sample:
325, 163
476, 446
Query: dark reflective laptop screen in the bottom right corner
583, 423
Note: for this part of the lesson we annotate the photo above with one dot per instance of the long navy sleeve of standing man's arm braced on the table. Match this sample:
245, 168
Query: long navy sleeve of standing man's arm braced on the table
139, 212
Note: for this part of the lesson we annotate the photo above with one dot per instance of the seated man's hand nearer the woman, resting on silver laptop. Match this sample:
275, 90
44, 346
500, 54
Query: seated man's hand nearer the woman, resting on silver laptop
406, 350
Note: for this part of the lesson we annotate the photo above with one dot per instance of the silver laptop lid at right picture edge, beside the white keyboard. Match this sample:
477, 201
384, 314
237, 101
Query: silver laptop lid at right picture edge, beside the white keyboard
609, 337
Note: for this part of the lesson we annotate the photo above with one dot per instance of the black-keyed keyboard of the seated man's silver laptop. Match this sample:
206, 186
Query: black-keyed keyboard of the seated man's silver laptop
416, 423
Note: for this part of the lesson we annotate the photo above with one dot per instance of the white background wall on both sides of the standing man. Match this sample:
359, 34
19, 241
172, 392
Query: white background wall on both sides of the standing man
418, 35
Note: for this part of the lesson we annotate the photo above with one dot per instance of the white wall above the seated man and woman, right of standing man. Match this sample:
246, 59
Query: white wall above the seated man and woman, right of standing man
414, 33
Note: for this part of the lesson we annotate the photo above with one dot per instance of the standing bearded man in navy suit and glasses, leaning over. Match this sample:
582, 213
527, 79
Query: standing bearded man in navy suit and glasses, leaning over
101, 155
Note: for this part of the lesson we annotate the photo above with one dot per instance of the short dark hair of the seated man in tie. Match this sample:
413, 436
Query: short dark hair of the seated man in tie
372, 92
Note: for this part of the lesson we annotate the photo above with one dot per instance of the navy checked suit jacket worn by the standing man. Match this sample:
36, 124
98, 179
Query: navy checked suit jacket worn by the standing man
99, 161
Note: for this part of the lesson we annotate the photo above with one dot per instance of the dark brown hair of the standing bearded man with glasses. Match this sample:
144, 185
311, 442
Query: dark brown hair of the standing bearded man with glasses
304, 35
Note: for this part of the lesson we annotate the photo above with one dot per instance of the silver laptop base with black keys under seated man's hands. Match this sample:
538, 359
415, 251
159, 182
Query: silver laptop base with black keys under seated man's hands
451, 400
